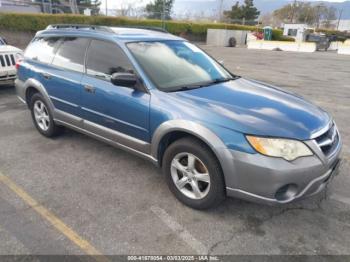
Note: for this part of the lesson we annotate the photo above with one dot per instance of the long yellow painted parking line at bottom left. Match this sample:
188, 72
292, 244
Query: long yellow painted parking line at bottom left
53, 220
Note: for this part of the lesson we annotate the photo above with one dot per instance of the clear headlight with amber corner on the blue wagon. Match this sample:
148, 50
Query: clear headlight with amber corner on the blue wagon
276, 147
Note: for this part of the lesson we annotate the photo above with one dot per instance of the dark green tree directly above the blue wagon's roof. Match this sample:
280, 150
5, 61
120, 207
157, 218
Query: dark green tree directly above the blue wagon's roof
159, 9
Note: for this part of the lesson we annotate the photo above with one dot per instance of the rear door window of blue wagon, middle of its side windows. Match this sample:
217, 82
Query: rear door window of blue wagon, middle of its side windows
70, 54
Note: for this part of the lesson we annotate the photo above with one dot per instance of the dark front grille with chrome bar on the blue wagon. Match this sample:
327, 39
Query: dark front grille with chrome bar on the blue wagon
328, 141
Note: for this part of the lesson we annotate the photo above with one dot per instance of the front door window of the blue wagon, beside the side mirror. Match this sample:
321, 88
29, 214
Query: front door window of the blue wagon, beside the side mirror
105, 58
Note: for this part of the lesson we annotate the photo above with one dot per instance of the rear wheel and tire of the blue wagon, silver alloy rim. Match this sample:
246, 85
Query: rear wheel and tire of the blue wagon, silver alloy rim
42, 117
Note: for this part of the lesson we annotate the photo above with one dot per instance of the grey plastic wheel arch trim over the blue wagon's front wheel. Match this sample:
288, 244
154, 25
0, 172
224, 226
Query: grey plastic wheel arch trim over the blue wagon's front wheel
207, 136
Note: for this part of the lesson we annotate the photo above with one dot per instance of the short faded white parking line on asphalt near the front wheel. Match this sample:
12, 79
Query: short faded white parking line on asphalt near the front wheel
186, 236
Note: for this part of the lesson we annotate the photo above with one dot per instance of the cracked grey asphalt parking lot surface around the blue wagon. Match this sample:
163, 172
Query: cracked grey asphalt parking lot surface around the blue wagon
119, 203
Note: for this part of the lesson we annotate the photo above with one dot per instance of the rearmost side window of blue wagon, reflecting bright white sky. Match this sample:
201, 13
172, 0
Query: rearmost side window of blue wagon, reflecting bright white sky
42, 49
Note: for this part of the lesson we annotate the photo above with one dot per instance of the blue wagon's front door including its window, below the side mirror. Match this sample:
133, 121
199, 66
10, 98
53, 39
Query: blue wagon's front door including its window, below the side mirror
117, 108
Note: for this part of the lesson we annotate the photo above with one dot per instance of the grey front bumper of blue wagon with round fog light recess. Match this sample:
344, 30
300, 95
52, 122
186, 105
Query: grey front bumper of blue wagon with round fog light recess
269, 180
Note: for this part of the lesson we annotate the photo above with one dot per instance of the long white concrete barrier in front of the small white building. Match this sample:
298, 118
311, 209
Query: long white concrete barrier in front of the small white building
283, 45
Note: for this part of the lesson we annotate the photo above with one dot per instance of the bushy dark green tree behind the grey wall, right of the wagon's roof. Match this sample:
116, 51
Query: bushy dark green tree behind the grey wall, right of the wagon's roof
247, 11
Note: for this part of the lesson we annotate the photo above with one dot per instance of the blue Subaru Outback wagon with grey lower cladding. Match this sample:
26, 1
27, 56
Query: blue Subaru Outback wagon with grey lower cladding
214, 134
